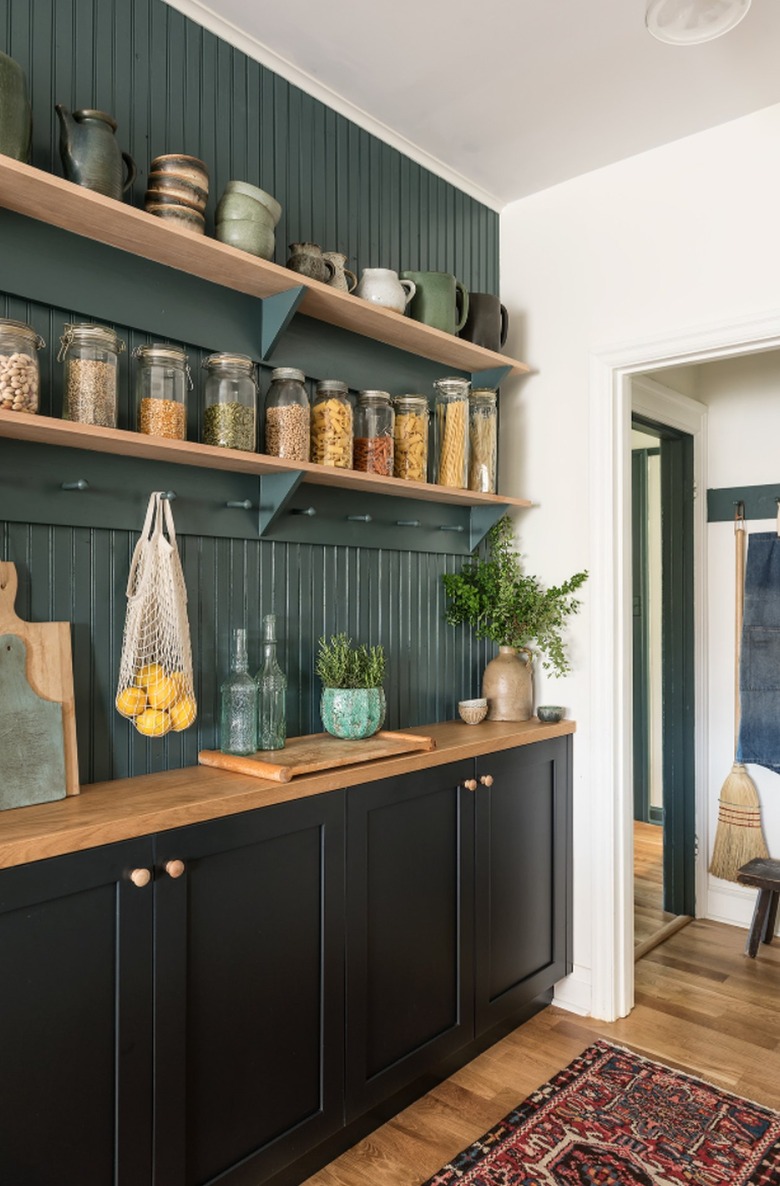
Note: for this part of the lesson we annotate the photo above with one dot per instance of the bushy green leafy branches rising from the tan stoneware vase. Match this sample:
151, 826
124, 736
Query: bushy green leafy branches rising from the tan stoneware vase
512, 609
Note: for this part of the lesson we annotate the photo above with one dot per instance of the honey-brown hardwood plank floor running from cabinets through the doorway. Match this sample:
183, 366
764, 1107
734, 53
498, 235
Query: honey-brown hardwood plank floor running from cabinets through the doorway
702, 1006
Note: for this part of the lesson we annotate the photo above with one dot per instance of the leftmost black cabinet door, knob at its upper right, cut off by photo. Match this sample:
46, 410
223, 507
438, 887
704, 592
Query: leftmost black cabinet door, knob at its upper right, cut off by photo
76, 1021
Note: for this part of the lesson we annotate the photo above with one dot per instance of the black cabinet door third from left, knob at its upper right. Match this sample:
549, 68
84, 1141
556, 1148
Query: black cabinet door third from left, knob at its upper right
410, 929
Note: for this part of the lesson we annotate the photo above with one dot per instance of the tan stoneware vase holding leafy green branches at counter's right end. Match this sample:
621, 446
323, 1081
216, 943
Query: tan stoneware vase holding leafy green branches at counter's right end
519, 615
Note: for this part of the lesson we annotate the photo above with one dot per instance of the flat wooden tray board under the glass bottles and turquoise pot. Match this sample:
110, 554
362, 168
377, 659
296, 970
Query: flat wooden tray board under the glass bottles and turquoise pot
316, 753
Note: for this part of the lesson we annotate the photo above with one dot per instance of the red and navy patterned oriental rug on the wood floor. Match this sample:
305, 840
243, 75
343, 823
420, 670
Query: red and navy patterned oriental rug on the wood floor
615, 1119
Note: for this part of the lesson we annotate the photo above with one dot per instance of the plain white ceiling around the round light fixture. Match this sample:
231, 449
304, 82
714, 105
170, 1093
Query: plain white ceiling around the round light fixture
510, 97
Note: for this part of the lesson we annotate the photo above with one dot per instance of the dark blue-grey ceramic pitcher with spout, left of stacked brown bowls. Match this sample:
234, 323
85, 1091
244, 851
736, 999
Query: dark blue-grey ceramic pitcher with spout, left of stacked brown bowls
91, 154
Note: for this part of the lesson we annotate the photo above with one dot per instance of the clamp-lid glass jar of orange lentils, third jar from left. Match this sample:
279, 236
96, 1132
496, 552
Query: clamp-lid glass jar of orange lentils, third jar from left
162, 384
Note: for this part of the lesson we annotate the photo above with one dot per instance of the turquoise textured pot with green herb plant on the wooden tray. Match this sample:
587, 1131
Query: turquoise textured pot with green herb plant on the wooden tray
353, 705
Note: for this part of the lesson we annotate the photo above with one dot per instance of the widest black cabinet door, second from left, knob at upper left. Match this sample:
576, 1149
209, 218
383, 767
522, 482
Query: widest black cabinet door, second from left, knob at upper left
250, 1015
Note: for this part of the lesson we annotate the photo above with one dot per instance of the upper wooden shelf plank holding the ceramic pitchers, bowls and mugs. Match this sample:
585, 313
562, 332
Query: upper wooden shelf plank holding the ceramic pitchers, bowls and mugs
52, 200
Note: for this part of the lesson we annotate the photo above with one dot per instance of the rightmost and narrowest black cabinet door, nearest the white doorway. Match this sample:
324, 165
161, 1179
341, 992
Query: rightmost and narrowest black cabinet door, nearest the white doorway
523, 871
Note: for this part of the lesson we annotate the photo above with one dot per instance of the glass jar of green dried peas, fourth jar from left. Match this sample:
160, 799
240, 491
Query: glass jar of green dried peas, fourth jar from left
231, 403
